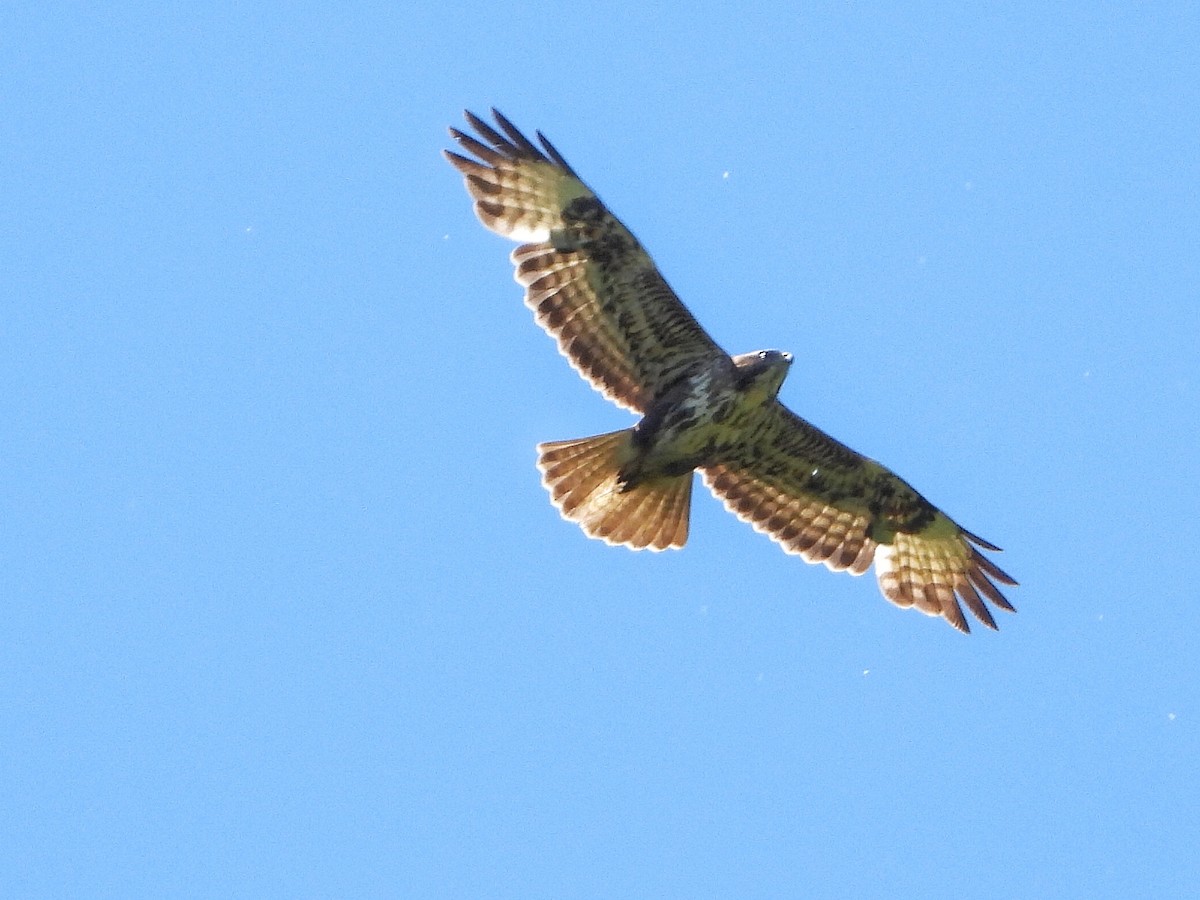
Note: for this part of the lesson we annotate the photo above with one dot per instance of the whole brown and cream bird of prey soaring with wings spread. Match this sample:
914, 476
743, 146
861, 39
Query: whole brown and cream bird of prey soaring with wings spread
596, 290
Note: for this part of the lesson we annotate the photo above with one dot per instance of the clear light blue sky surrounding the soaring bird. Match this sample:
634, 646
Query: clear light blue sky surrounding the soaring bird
286, 610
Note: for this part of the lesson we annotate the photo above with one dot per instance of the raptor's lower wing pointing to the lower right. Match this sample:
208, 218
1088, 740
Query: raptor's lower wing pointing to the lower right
830, 505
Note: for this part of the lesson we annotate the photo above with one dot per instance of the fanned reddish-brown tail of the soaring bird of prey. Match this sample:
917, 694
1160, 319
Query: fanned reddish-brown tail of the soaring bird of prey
583, 479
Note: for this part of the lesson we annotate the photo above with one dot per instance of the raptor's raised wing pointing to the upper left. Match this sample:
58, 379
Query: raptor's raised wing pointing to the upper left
590, 283
